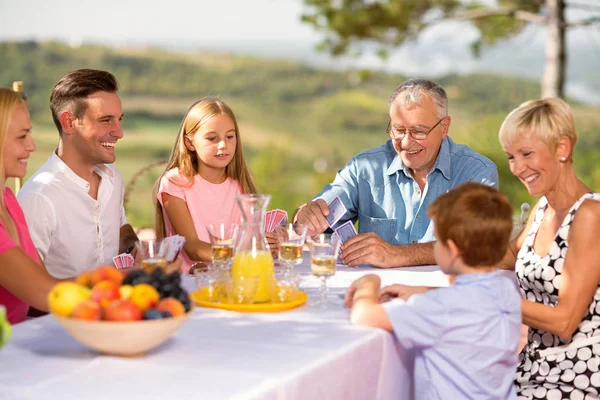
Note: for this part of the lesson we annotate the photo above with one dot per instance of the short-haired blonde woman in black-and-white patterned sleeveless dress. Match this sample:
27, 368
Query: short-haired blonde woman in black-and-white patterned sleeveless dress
556, 257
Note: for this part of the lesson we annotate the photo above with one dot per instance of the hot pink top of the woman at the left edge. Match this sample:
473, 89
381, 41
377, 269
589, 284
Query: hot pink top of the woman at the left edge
16, 309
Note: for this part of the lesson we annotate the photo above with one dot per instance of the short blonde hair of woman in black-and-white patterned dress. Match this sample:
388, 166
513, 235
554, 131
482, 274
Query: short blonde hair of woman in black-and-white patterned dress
548, 119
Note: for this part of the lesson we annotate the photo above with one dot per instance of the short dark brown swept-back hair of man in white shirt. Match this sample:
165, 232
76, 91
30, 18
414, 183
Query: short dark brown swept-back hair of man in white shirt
71, 92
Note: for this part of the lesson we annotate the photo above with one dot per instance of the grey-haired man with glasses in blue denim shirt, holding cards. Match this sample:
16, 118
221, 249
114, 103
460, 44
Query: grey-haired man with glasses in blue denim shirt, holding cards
388, 188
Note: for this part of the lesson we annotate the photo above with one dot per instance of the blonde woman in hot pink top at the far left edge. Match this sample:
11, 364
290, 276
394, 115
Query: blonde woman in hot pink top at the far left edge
24, 280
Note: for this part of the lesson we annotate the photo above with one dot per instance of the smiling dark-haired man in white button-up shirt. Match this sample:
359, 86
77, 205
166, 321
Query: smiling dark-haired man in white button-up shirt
74, 203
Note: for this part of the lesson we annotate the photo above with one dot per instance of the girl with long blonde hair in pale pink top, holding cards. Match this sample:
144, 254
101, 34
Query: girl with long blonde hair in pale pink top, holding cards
205, 173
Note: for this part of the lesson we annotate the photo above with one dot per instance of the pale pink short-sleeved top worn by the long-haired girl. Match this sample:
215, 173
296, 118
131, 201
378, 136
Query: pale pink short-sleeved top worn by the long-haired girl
207, 202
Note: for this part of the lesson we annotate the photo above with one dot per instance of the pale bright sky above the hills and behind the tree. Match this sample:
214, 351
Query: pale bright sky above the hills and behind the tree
272, 28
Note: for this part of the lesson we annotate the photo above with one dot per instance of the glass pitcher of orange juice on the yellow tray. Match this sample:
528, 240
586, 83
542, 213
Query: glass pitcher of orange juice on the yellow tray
252, 254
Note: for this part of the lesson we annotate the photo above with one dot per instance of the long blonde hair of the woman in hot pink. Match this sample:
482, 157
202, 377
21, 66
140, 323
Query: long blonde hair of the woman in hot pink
9, 100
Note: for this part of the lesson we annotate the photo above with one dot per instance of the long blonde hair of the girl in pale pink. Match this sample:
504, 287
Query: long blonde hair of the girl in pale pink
186, 161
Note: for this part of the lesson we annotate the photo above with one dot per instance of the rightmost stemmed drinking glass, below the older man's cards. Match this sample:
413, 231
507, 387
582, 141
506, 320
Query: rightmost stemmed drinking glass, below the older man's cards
323, 251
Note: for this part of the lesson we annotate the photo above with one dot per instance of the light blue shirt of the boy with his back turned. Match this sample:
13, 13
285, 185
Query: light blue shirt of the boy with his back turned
465, 337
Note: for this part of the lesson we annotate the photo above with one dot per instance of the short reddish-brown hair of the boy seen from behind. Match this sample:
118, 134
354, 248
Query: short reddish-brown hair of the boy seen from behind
477, 218
